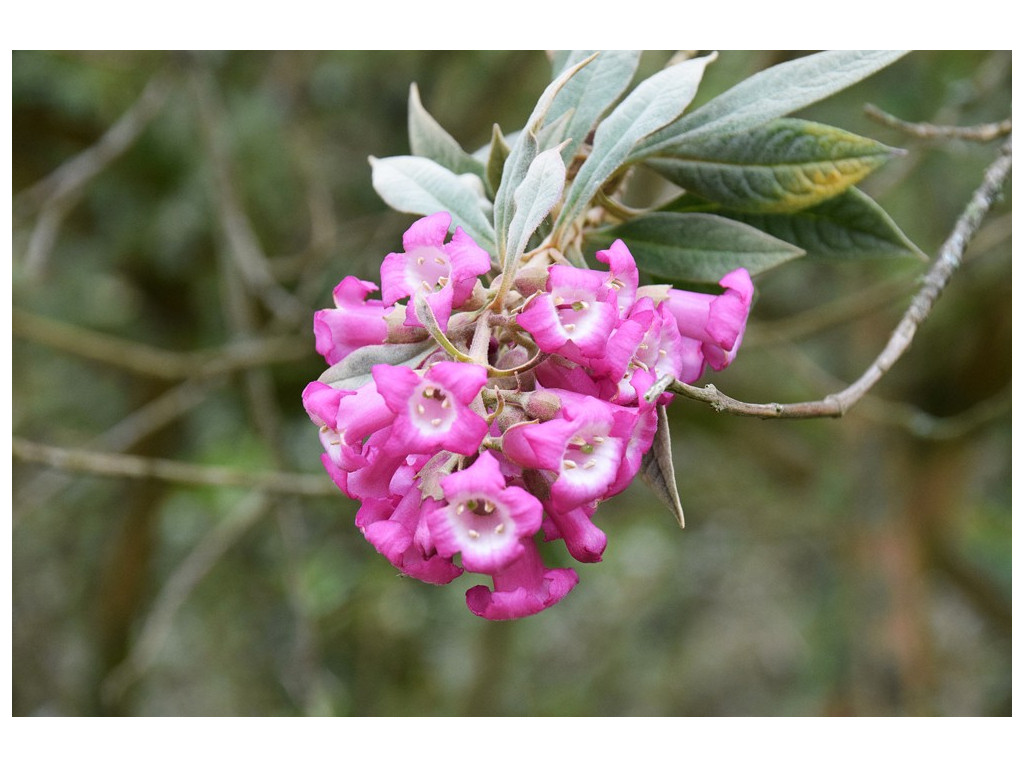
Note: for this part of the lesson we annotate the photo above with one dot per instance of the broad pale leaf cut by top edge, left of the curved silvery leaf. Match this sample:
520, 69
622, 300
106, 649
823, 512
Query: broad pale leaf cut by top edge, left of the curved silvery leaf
587, 97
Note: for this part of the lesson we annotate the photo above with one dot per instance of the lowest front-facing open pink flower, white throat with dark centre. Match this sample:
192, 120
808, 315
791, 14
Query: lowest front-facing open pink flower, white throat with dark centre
484, 520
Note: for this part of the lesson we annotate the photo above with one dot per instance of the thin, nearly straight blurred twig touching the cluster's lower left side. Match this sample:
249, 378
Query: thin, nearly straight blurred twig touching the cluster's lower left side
122, 465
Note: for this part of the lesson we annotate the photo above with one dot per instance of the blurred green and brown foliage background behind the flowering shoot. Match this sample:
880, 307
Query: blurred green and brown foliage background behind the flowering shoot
857, 567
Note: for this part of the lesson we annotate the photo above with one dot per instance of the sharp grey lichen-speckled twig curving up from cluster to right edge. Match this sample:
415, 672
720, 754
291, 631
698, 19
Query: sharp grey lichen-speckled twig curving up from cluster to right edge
934, 282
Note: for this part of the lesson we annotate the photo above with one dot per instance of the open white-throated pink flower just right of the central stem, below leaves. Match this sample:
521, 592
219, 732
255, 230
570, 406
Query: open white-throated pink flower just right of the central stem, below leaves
575, 318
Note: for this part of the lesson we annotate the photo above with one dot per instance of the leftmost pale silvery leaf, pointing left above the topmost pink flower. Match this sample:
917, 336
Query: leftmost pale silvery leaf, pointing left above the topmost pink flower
420, 186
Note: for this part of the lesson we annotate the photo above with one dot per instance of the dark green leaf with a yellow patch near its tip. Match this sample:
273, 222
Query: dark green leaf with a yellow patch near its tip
779, 167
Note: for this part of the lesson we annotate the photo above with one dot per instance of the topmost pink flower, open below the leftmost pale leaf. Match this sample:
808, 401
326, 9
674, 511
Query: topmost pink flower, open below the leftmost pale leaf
443, 274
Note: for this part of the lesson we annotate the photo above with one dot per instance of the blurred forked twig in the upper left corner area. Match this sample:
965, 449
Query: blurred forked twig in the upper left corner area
58, 194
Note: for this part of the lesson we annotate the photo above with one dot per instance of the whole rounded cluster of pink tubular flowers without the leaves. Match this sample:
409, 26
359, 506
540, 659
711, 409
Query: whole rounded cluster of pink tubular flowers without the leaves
530, 412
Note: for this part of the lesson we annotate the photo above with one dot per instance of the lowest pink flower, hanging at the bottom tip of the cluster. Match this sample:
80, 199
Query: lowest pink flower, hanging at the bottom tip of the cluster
522, 589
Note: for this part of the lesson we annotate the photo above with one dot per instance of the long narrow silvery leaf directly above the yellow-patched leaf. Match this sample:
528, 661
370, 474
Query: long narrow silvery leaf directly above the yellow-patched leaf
773, 94
